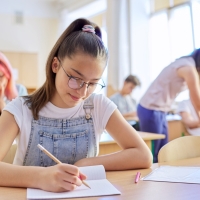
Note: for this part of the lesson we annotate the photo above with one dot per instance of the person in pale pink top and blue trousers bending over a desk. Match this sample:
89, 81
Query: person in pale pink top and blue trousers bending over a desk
181, 74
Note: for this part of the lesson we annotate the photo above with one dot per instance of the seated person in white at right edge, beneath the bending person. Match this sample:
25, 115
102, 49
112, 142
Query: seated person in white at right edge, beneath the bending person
189, 117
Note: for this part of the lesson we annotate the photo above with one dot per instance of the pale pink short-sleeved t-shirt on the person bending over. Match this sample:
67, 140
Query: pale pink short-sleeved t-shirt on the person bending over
165, 88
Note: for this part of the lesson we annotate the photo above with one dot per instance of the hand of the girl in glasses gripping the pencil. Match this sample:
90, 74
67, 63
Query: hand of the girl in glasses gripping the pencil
60, 178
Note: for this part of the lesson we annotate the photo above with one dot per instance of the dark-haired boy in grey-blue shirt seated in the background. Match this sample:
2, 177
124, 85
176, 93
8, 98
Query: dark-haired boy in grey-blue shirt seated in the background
125, 103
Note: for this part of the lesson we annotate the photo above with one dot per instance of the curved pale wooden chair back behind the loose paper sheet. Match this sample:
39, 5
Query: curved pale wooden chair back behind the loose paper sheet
180, 148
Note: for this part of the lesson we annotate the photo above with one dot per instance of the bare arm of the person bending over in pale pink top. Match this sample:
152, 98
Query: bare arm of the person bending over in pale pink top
191, 77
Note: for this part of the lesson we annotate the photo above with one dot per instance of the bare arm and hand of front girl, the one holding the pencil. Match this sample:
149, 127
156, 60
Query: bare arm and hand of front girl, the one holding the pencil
61, 177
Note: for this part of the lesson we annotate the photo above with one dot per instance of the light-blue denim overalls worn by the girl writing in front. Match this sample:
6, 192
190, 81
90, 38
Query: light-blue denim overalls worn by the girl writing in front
69, 140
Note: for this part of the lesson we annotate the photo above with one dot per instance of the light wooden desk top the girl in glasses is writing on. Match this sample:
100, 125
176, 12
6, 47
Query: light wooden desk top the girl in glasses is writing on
124, 182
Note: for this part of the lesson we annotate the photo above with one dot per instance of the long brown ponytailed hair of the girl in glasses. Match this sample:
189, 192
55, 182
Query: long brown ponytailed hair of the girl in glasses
72, 40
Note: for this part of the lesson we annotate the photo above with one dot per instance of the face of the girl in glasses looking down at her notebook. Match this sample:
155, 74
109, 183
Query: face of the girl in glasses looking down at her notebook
81, 66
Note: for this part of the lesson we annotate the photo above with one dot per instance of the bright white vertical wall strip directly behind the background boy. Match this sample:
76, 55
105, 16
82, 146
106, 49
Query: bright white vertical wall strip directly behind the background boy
140, 60
